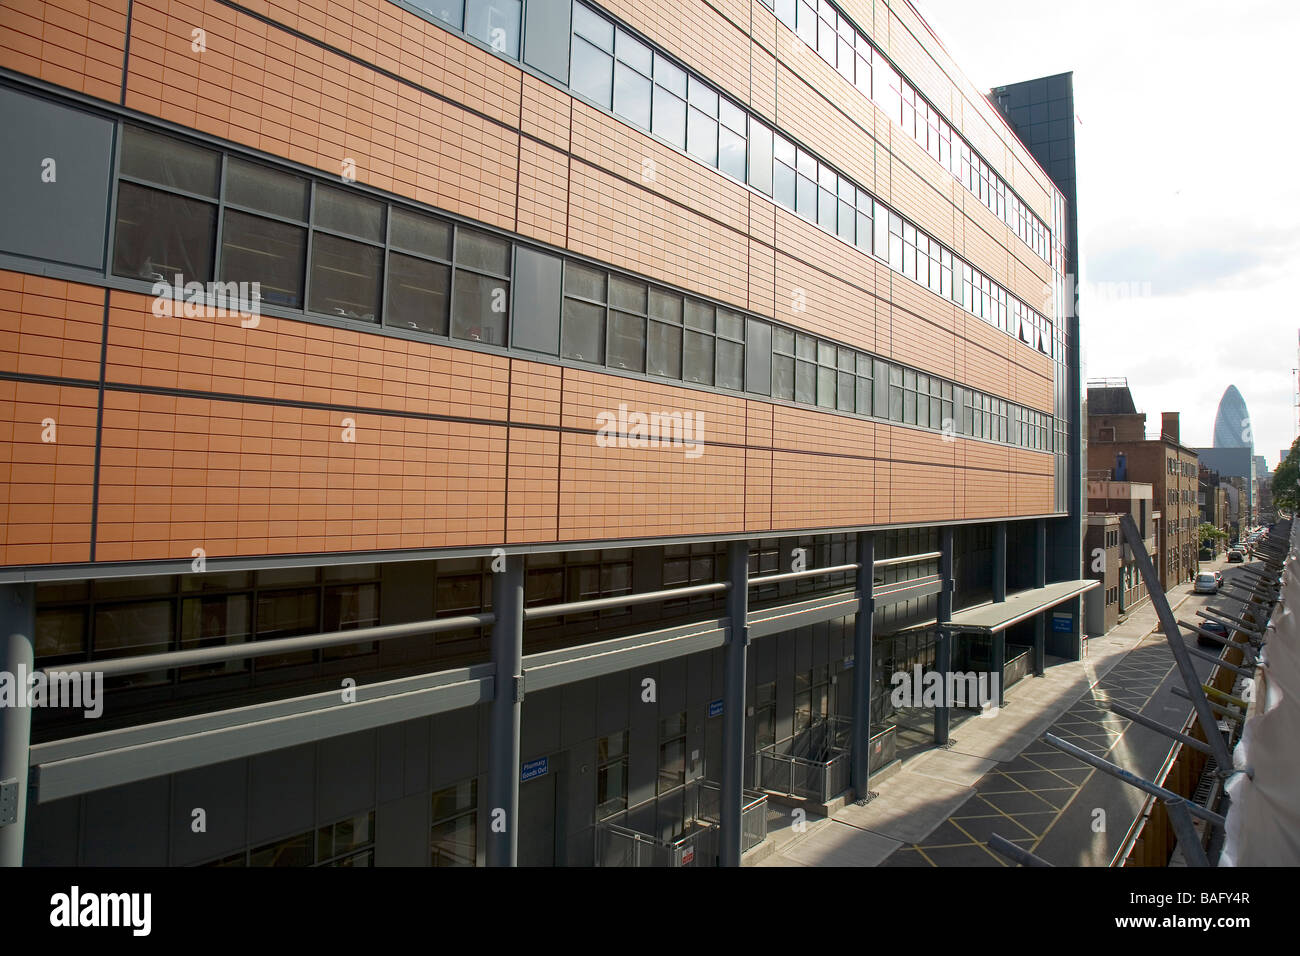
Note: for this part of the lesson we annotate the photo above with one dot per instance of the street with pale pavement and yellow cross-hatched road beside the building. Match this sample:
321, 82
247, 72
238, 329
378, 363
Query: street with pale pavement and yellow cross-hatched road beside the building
999, 776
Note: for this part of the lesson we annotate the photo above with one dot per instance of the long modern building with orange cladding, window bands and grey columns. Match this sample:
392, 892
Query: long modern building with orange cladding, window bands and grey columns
517, 339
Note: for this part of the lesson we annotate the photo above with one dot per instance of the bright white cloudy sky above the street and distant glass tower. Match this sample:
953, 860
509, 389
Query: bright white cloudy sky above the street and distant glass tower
1189, 166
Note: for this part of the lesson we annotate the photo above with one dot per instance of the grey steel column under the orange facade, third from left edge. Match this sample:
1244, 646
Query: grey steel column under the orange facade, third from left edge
733, 797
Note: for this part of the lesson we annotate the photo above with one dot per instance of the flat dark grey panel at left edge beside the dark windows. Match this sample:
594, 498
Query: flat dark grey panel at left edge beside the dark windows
54, 180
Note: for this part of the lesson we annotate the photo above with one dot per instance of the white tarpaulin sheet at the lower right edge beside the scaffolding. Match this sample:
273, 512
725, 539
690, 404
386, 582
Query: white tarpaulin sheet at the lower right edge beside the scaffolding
1264, 817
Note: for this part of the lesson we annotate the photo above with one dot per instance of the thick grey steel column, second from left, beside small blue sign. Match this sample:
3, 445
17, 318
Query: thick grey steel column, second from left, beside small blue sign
508, 655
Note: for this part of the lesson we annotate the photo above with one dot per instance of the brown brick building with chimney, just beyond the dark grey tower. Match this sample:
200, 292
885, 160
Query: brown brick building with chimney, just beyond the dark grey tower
1119, 451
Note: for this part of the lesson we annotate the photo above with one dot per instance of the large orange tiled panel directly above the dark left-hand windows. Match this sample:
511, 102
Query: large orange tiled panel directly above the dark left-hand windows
270, 90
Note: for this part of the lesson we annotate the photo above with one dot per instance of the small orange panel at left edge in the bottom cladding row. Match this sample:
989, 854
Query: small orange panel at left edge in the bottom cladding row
47, 473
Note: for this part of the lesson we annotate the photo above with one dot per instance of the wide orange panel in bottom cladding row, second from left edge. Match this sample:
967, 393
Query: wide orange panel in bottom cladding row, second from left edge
236, 479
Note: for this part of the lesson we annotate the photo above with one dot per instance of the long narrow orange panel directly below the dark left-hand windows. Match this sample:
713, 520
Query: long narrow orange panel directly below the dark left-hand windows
301, 362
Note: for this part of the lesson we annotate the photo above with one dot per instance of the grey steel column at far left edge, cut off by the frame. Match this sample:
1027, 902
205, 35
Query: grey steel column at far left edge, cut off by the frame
18, 656
